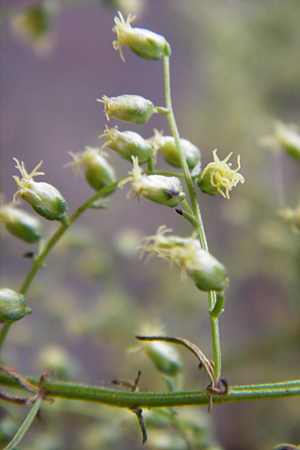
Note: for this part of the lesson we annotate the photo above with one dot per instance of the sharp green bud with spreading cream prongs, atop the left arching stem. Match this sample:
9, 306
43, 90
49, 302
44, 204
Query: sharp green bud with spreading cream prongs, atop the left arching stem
44, 198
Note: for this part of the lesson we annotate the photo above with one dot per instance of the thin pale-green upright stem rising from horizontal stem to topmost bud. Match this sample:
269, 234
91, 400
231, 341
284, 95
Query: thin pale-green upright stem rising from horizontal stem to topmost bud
195, 209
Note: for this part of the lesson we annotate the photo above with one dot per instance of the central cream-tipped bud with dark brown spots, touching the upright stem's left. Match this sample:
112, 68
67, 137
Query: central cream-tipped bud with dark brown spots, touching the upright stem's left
160, 189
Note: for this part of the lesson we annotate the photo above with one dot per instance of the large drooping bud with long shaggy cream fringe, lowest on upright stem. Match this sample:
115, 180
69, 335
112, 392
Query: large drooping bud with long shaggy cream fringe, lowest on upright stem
204, 269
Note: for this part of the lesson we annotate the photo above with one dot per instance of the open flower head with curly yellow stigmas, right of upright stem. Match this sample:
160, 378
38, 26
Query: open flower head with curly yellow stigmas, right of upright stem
219, 177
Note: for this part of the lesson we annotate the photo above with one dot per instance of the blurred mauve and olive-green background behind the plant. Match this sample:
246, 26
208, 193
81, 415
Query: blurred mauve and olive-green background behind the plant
235, 68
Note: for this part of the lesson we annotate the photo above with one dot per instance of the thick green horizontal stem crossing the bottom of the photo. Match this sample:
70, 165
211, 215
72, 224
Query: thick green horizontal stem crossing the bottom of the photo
72, 391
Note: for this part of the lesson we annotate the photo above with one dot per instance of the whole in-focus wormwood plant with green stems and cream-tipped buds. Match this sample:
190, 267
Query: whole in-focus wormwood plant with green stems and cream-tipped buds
176, 189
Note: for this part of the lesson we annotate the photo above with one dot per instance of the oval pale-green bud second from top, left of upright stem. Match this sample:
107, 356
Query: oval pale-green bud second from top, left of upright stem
129, 108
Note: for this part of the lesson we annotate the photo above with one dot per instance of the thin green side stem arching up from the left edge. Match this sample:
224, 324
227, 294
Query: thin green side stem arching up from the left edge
39, 261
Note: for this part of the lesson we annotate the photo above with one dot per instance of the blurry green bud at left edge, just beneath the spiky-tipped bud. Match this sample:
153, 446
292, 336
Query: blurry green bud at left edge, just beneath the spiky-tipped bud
21, 224
